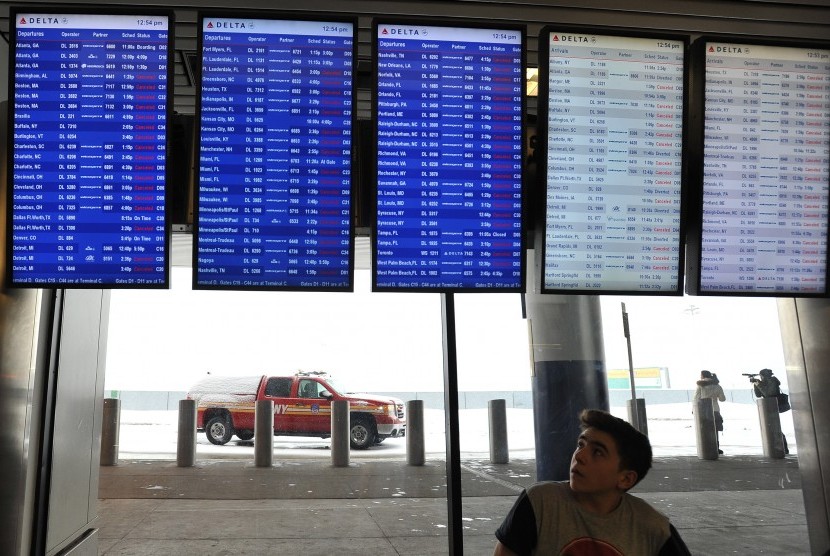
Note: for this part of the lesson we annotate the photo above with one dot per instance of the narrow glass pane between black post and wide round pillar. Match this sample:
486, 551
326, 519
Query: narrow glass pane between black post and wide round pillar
493, 369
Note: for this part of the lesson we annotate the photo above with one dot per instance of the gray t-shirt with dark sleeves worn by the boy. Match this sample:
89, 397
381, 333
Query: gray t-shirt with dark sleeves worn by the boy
563, 527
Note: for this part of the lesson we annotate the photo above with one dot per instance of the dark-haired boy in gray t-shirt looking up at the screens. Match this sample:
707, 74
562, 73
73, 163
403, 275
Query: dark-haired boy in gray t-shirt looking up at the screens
592, 513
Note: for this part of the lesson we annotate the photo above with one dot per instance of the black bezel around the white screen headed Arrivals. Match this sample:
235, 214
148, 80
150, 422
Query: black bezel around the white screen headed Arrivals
542, 148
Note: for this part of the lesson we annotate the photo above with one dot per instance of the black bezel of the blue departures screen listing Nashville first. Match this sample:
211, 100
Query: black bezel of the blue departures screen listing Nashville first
447, 23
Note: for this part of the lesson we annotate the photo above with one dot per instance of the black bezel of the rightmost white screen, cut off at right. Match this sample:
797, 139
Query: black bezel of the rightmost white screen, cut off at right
695, 229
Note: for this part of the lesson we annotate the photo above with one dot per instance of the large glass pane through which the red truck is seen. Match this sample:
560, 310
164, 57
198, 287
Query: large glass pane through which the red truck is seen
373, 346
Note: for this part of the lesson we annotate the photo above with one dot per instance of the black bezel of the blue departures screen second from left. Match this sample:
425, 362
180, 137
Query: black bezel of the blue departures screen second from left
272, 16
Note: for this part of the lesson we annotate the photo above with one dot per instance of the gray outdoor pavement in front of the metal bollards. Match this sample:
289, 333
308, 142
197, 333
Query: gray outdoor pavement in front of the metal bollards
735, 505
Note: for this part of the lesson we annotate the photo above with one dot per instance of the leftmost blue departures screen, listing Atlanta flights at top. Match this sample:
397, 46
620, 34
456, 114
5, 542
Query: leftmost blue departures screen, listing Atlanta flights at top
87, 150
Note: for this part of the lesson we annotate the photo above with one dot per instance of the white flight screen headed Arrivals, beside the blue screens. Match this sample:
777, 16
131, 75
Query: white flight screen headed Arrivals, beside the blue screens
614, 110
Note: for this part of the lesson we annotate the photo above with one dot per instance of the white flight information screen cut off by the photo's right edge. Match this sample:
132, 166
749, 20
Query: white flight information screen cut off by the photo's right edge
766, 168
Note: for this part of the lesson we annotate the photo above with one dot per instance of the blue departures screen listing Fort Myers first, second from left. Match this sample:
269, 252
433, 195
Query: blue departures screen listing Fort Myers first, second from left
275, 145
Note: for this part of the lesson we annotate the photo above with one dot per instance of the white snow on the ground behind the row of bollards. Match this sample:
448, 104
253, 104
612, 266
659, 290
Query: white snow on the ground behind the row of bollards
152, 435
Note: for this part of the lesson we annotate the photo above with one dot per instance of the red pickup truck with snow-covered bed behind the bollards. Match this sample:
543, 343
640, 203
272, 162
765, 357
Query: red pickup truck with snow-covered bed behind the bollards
302, 407
